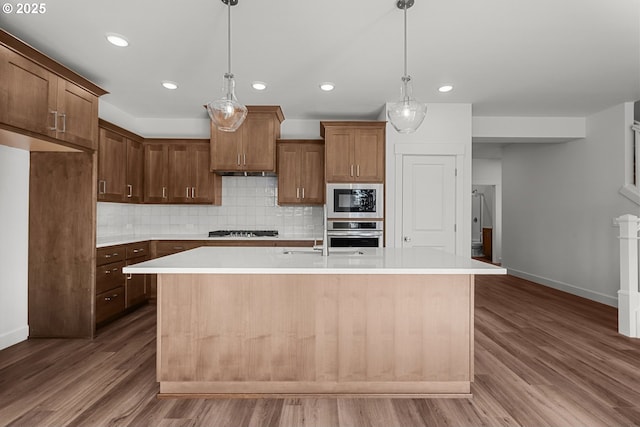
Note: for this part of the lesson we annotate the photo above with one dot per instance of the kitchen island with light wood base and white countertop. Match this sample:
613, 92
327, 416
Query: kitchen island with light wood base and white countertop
246, 322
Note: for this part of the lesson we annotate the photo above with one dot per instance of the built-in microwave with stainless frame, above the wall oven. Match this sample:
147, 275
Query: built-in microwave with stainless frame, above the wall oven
355, 200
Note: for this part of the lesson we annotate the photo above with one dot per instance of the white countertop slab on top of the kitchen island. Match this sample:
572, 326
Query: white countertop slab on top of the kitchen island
270, 260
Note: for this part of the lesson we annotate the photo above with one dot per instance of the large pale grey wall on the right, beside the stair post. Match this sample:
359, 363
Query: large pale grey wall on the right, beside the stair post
559, 201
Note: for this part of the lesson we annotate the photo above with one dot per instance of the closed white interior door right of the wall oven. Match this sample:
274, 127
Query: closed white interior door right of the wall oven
429, 202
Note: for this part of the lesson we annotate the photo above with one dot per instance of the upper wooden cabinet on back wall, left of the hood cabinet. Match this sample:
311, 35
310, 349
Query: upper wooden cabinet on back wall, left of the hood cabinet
177, 171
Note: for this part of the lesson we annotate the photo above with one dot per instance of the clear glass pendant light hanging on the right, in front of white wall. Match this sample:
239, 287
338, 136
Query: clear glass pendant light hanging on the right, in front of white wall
407, 114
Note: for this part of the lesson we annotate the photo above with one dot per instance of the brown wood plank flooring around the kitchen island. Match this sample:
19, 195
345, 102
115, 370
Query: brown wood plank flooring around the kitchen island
543, 358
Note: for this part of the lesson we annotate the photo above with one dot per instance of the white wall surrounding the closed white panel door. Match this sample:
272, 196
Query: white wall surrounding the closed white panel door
446, 125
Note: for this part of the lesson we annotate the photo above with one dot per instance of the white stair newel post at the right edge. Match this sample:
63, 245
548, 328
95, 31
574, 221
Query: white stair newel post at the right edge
628, 295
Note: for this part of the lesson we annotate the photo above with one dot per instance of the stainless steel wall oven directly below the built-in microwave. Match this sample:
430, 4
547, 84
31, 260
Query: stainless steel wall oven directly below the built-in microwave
355, 234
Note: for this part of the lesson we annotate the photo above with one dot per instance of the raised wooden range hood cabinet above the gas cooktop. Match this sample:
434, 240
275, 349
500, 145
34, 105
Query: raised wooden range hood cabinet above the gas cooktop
251, 148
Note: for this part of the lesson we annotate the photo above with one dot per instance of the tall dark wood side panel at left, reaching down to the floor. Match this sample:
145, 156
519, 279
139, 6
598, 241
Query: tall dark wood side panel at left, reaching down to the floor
62, 244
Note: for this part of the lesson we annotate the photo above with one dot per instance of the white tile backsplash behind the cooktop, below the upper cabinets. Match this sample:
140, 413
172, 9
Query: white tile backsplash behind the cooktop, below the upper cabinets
247, 203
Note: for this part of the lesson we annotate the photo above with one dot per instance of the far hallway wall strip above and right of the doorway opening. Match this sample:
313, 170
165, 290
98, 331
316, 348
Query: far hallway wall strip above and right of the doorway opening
489, 172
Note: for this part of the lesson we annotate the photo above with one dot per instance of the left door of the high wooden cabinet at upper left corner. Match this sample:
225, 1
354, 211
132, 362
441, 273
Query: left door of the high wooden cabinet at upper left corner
27, 94
